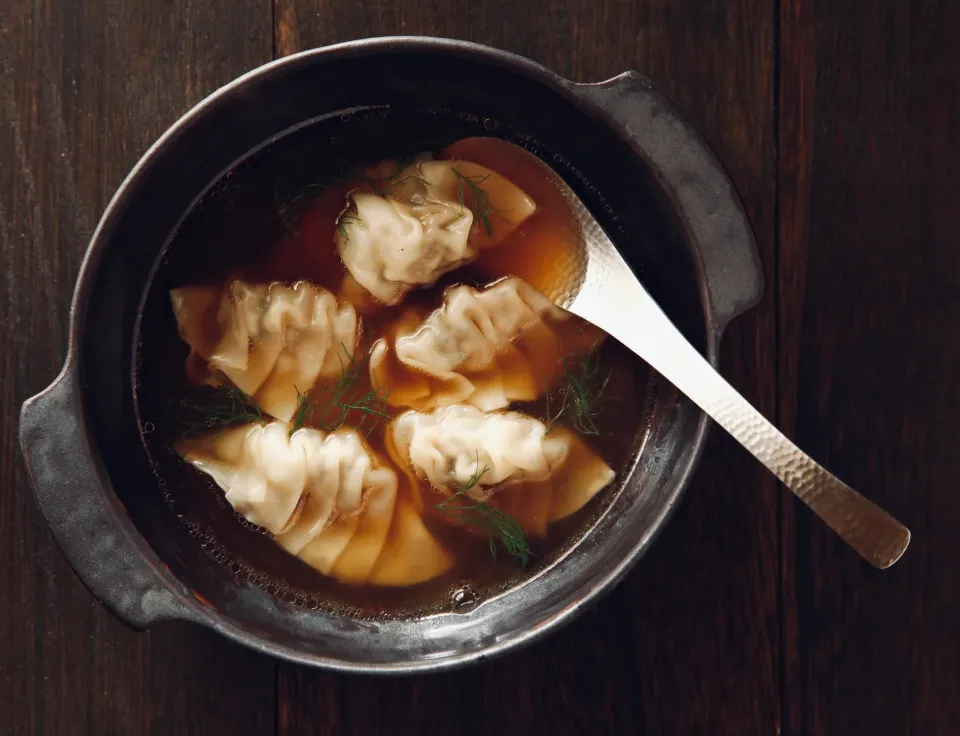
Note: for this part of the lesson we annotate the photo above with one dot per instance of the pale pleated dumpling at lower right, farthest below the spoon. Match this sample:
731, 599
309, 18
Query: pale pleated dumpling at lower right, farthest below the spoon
506, 457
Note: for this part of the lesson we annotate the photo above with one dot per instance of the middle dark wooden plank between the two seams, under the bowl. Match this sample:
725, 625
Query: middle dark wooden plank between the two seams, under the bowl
689, 643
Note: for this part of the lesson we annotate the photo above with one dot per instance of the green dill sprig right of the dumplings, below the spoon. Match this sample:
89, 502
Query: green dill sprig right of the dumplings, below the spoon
581, 393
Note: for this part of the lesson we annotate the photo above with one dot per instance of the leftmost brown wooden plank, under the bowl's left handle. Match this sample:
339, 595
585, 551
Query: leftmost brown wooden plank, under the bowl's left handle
84, 89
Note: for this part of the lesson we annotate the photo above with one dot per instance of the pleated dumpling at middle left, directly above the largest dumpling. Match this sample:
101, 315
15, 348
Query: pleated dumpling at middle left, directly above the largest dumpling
270, 341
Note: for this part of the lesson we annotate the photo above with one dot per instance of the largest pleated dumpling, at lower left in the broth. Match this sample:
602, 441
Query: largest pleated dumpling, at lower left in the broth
326, 498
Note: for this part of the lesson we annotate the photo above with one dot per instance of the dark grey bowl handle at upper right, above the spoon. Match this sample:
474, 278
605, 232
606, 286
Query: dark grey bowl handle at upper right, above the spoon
696, 182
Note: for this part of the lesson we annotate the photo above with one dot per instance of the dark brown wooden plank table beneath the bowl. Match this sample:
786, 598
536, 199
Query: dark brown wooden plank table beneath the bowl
838, 121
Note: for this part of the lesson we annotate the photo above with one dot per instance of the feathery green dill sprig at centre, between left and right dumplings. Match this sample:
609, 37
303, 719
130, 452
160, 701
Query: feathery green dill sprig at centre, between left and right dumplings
329, 410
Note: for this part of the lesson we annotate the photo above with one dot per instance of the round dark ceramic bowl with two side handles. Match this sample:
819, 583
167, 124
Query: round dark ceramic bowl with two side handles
650, 180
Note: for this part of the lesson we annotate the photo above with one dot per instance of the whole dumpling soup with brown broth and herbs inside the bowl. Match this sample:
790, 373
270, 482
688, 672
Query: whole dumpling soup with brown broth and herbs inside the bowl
378, 405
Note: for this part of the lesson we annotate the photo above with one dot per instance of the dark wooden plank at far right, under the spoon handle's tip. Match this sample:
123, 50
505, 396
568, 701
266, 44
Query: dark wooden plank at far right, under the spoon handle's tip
869, 275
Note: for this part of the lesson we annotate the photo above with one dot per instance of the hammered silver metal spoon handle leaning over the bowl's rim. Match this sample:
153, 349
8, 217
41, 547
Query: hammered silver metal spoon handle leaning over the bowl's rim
610, 296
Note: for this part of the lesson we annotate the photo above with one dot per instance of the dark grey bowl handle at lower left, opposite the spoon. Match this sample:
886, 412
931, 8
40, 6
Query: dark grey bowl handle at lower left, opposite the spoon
89, 524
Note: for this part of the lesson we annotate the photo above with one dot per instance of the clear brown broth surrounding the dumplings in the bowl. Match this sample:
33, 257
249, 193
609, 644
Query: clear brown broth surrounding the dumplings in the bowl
273, 219
